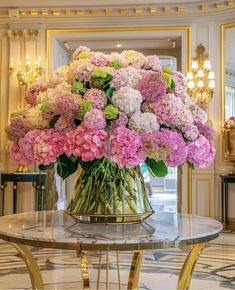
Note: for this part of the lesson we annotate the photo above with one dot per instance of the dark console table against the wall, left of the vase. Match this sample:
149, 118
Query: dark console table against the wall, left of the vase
38, 181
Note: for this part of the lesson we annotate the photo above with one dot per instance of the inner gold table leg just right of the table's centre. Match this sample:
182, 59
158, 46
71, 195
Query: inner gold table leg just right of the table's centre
134, 275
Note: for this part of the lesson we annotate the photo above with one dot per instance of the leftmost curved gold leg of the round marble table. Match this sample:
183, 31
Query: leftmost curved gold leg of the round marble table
32, 266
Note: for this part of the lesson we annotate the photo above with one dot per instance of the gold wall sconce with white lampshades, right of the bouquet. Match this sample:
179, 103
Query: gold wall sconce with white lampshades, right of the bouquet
201, 80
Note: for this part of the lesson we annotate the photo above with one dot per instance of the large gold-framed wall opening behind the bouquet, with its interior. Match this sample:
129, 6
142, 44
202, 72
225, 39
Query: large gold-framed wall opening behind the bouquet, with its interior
171, 44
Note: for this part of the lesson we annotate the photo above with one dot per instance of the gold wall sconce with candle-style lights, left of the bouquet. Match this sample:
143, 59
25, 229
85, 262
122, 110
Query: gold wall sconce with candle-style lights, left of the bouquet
27, 73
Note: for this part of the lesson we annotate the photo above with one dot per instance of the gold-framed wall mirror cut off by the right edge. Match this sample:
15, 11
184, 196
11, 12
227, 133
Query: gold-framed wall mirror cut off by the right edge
228, 70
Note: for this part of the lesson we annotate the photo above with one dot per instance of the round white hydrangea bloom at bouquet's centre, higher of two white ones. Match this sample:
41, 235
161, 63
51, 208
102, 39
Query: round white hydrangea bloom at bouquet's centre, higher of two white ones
127, 100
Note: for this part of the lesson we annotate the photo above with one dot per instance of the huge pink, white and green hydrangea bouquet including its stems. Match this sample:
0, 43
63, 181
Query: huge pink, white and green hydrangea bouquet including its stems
107, 114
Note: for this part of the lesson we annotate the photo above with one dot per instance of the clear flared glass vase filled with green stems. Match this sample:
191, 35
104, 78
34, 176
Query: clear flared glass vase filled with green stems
107, 194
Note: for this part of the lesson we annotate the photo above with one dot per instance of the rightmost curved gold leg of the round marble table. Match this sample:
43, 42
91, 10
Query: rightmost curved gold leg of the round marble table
189, 264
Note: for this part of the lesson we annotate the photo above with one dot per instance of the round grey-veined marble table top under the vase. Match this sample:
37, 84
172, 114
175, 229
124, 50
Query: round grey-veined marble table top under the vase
55, 229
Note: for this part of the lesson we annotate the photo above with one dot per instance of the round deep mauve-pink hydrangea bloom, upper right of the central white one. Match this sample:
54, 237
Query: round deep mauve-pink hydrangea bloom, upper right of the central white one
152, 86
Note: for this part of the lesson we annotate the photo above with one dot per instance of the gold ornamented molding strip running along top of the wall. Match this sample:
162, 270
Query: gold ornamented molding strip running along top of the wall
208, 6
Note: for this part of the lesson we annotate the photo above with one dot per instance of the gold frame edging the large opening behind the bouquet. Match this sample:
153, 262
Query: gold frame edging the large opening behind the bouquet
185, 29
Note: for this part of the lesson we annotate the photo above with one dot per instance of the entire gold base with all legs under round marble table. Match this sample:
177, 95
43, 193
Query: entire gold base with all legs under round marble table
134, 274
